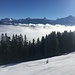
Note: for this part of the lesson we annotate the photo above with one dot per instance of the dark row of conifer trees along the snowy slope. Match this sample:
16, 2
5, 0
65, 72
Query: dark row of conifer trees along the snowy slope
18, 49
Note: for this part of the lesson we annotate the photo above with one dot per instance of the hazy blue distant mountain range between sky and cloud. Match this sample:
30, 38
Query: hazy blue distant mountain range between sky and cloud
69, 20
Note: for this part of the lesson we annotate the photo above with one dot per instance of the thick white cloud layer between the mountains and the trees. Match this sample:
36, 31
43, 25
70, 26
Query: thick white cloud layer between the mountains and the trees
34, 30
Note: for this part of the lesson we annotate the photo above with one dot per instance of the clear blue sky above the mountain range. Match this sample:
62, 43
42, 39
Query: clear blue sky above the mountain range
51, 9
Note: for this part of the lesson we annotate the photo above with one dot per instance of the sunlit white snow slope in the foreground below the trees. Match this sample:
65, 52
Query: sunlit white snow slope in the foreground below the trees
60, 65
